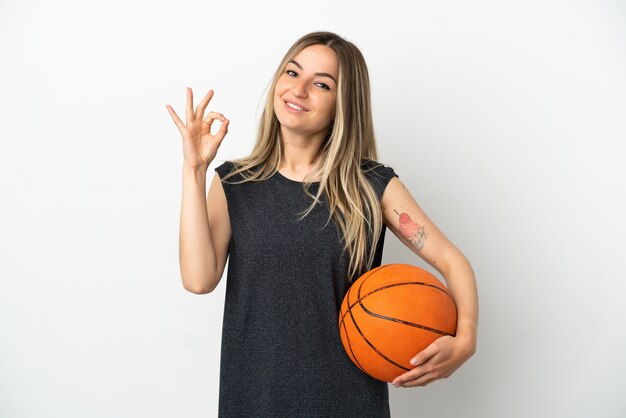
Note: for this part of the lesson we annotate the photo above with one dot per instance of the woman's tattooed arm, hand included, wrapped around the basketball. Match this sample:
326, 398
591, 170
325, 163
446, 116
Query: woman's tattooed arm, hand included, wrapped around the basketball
412, 226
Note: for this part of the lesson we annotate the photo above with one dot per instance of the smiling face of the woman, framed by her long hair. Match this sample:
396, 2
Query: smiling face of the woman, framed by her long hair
306, 92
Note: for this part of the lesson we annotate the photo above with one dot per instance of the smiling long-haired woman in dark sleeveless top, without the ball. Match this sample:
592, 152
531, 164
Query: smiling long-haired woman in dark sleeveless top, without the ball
299, 219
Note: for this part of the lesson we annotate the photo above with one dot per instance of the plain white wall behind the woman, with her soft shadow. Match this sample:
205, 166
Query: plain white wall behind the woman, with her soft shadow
506, 120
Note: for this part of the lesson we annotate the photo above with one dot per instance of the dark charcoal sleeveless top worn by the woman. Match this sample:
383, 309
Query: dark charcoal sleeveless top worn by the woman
281, 353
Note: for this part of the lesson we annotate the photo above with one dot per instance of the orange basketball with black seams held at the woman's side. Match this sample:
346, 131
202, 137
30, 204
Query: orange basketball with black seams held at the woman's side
390, 314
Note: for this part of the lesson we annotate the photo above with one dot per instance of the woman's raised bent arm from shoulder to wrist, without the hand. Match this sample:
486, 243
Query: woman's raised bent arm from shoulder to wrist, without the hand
204, 232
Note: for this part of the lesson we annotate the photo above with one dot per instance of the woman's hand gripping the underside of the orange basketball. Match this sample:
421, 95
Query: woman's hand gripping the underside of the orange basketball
437, 361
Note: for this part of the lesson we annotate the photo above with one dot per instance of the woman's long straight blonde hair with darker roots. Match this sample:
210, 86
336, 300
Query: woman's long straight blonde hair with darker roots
349, 142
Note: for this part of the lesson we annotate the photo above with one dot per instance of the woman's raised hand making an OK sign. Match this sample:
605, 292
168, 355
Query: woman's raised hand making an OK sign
199, 144
